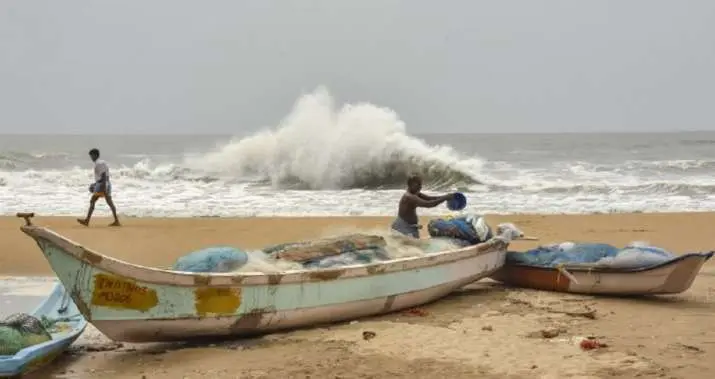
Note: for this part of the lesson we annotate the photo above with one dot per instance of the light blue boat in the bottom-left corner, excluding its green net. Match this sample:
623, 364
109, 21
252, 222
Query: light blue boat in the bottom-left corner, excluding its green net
67, 325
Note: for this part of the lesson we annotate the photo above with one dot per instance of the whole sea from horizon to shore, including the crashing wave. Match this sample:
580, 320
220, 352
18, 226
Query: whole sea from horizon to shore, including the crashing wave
325, 158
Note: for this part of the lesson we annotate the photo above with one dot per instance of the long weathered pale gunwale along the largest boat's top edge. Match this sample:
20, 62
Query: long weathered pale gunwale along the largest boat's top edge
159, 276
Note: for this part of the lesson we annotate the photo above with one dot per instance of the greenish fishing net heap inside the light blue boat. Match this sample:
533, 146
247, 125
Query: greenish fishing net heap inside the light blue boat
22, 330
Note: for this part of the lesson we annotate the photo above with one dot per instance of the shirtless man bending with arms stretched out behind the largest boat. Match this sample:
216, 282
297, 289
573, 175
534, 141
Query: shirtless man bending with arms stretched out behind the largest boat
407, 222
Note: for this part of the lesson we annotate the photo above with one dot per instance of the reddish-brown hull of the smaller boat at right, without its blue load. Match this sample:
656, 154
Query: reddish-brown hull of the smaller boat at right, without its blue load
672, 278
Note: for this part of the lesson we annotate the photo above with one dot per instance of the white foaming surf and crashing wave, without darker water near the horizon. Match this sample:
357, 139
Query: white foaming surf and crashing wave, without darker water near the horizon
351, 159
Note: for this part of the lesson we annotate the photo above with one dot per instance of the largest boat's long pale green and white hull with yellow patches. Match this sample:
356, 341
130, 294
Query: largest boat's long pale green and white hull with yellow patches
133, 303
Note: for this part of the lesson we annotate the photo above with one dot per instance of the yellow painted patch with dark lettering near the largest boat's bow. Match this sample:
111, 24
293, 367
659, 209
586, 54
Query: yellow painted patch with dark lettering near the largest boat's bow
117, 292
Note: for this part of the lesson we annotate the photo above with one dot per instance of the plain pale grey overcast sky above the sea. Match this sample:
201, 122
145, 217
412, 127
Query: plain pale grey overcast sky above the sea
228, 66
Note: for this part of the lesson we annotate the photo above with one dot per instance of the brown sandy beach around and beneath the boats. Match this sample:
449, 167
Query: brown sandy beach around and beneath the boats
484, 330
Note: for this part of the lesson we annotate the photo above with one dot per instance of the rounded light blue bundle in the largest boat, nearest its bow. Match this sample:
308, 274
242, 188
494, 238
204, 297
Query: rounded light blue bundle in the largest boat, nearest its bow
212, 259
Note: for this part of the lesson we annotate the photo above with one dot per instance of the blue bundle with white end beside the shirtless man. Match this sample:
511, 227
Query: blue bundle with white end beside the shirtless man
470, 228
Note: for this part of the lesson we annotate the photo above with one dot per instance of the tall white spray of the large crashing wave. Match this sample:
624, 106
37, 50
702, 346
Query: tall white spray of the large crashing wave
319, 146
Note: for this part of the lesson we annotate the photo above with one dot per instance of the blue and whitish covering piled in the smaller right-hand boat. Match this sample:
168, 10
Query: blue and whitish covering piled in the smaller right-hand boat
596, 254
